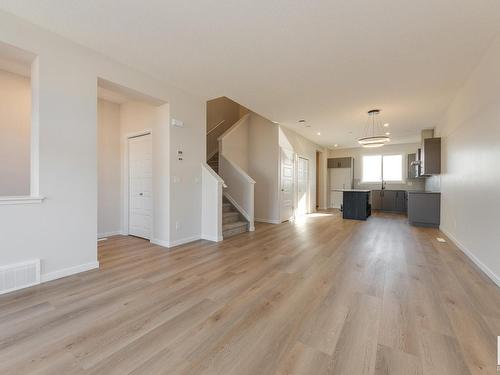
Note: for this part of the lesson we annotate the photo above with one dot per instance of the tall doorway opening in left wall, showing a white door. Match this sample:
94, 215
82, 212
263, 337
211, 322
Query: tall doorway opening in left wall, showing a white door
125, 132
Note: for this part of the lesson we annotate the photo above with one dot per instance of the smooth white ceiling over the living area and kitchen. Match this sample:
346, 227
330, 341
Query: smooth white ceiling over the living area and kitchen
327, 62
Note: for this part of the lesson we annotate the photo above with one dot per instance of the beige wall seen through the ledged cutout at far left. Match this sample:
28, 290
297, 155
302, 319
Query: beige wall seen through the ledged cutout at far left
15, 134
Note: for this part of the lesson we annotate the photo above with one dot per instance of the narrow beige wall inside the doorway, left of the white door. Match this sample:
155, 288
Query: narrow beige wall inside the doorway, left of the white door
109, 168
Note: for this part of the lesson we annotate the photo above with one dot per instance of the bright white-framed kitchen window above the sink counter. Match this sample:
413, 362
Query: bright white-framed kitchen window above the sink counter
378, 168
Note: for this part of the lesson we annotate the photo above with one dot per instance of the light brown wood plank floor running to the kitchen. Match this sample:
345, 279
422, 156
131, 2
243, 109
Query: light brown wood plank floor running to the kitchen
321, 296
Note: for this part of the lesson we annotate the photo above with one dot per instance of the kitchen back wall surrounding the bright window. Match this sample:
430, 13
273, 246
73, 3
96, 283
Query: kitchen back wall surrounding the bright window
358, 152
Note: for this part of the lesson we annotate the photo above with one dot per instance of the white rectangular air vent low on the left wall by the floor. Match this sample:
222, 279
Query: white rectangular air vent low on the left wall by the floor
19, 275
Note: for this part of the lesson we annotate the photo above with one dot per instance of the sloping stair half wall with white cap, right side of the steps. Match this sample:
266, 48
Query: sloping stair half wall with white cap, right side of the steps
239, 190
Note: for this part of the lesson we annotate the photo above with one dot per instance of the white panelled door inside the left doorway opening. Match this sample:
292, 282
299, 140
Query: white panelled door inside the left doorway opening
140, 186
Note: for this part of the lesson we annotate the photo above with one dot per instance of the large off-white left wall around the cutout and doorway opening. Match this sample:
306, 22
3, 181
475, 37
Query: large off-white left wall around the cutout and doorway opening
62, 230
